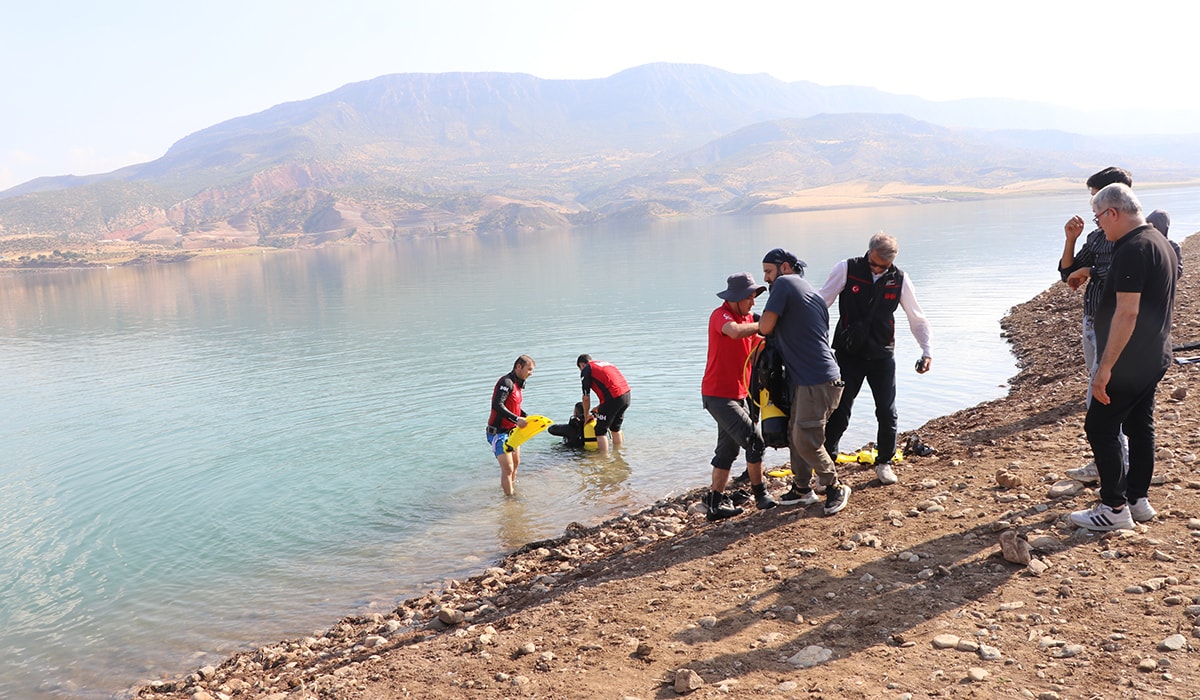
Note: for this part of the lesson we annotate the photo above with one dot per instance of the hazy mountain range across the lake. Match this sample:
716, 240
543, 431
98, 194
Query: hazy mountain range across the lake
475, 153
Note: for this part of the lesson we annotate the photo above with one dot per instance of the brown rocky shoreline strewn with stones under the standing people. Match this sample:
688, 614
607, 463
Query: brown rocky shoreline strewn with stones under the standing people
963, 581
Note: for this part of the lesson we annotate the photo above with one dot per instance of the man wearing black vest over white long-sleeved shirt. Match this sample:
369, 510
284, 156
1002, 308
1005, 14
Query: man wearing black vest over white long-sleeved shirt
868, 291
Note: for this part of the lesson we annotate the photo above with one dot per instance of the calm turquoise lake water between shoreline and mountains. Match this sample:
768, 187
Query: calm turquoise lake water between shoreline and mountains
203, 458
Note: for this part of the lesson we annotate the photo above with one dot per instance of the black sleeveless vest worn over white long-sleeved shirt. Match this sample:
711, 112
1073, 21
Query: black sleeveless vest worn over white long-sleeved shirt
877, 338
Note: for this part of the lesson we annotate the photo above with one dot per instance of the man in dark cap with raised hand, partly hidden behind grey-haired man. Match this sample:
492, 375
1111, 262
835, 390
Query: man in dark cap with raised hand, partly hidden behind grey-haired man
1090, 266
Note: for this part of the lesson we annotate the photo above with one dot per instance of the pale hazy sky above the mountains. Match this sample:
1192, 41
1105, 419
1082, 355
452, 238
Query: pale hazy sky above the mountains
89, 87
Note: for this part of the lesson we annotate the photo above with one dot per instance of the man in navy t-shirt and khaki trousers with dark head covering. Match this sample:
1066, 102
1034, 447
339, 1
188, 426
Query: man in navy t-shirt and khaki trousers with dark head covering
800, 320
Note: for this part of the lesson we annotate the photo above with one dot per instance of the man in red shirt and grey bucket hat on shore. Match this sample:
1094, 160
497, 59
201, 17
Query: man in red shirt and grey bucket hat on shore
733, 336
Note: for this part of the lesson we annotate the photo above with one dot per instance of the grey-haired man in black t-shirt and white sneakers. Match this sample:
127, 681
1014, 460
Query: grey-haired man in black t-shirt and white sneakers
1133, 325
